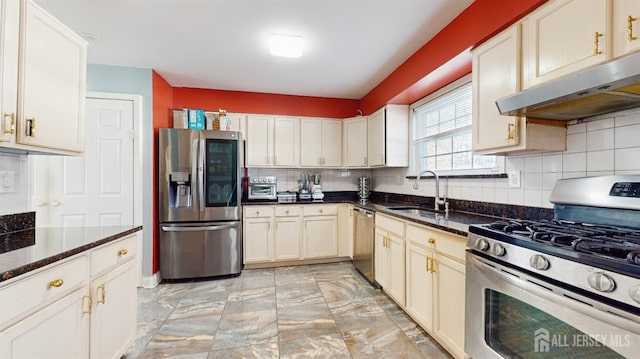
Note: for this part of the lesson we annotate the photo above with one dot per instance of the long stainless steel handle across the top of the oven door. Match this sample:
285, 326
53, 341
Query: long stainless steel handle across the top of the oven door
563, 297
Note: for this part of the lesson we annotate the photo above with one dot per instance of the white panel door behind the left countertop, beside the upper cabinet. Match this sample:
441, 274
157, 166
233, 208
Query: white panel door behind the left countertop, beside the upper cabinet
95, 189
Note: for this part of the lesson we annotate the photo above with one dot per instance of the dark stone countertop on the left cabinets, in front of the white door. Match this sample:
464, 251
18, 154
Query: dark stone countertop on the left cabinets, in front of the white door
23, 251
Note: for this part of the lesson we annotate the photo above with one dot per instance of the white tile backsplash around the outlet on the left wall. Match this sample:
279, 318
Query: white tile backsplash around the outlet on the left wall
18, 200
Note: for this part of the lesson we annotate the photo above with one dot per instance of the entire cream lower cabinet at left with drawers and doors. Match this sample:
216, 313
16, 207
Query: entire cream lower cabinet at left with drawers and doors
59, 311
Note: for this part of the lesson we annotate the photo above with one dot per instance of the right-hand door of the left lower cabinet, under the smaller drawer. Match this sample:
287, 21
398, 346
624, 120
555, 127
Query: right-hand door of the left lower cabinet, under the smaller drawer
113, 321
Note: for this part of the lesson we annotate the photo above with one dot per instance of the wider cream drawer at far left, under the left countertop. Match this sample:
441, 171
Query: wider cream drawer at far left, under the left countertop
49, 283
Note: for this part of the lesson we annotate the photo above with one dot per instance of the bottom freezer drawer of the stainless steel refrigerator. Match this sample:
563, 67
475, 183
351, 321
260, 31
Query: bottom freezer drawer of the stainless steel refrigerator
194, 250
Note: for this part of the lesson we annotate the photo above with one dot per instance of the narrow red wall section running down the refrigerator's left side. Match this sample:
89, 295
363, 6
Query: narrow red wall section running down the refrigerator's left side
162, 105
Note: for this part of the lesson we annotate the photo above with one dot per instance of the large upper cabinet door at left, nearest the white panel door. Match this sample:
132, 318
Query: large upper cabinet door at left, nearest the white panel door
51, 93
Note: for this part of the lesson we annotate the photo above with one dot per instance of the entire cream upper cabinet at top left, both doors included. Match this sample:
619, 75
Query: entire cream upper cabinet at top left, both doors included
47, 105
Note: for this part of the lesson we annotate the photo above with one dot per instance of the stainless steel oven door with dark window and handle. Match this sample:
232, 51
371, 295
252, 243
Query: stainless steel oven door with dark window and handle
511, 314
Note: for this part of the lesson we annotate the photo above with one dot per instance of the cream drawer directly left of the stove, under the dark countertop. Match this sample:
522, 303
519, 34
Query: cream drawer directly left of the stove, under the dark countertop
445, 243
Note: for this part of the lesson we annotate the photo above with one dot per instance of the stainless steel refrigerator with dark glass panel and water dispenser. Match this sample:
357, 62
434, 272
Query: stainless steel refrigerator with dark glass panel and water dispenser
200, 203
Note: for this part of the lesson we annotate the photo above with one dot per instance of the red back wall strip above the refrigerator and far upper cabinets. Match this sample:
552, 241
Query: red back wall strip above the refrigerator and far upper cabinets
253, 102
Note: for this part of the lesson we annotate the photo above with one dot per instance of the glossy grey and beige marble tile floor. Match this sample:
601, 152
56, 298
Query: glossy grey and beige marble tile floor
310, 311
